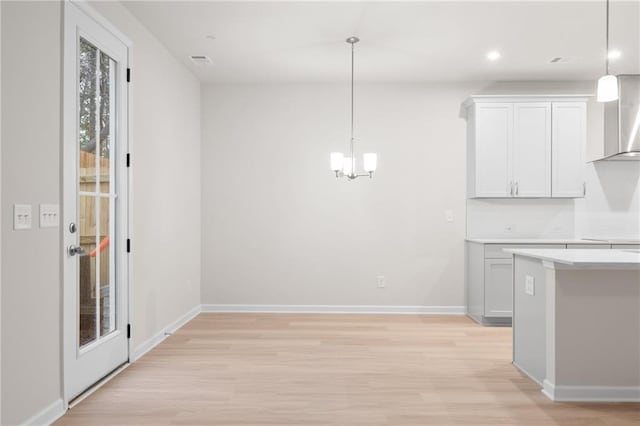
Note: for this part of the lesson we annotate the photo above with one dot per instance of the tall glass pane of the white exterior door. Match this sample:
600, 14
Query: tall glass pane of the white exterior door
96, 196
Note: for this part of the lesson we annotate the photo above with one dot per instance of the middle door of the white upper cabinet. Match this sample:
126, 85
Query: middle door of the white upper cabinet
532, 149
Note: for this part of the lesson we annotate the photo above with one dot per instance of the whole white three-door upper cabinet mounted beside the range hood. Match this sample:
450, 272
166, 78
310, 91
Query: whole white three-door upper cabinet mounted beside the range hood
525, 147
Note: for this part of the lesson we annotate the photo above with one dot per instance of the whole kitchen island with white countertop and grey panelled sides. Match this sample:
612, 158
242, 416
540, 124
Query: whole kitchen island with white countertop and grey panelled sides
576, 322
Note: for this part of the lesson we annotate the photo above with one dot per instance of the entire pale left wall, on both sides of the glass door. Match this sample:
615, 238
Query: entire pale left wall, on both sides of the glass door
166, 204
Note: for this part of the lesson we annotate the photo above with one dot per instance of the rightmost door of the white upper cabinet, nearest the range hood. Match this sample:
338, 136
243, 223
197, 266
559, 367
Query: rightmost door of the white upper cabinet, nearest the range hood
569, 139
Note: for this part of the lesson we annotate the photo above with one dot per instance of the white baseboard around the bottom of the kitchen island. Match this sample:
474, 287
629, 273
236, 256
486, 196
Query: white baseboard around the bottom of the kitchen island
591, 393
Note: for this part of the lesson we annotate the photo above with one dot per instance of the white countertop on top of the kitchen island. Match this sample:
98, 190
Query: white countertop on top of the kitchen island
578, 257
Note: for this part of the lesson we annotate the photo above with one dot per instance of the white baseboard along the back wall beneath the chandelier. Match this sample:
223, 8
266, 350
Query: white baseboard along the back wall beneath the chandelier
336, 309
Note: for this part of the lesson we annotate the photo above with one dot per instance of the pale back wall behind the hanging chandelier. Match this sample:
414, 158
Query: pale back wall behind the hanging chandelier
278, 228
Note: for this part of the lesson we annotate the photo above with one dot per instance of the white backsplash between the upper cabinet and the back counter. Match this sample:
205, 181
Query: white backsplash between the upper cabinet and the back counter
611, 209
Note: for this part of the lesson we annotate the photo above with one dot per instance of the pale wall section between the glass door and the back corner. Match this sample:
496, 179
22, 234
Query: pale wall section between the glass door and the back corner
166, 181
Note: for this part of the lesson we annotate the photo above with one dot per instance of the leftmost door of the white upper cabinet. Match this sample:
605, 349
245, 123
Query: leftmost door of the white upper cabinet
493, 139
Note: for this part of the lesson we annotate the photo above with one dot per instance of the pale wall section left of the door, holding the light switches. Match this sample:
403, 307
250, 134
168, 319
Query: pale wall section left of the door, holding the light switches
31, 285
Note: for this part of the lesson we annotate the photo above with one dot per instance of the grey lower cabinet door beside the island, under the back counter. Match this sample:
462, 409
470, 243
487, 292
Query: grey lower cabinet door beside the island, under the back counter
498, 288
